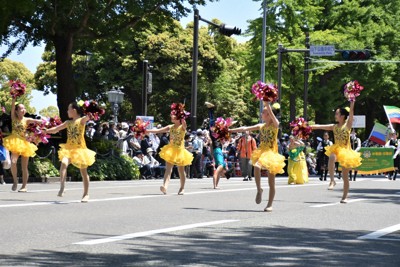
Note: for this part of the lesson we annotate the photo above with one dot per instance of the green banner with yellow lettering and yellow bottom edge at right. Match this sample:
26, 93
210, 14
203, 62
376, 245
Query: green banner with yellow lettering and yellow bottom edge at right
376, 160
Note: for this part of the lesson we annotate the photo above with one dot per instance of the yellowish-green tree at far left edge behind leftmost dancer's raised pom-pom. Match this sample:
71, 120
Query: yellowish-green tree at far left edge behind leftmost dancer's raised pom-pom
11, 70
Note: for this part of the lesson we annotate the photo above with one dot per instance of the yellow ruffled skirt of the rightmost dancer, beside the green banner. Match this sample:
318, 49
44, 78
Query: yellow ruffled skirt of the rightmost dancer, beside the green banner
346, 157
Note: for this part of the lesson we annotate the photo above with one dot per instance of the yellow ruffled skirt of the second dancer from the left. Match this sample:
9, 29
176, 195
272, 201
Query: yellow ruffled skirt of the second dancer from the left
79, 157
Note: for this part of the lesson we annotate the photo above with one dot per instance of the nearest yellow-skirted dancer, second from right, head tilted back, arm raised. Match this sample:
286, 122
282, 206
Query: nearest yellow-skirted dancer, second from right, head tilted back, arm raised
266, 156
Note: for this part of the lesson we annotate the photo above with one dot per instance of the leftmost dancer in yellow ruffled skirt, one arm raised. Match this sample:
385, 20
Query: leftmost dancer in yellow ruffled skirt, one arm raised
17, 144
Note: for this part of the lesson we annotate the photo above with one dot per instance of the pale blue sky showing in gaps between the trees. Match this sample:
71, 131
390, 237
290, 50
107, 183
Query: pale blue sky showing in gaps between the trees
231, 12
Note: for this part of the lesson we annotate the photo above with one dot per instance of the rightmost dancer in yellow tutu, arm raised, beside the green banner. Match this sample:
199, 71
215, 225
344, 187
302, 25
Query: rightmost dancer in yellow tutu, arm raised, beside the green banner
341, 150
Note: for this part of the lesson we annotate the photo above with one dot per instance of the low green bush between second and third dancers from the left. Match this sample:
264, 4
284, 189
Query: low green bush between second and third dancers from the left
112, 168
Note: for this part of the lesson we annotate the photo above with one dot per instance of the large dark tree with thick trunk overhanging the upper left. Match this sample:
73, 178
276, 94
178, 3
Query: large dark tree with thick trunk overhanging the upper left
71, 26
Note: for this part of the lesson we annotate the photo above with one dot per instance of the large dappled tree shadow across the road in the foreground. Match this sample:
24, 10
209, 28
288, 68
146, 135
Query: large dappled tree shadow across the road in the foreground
267, 246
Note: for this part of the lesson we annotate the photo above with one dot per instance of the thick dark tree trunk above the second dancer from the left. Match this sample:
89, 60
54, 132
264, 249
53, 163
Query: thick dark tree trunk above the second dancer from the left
66, 90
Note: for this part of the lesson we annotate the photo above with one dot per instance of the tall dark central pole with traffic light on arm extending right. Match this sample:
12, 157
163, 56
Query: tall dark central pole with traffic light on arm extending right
223, 29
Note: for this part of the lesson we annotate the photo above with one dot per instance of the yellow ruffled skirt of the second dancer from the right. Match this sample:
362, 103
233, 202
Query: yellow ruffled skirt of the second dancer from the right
269, 160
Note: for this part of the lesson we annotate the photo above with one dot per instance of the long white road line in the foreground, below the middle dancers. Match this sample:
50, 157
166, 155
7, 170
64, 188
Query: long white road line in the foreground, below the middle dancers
151, 232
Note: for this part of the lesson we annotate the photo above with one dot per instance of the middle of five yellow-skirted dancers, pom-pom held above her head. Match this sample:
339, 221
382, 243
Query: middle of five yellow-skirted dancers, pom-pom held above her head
175, 153
